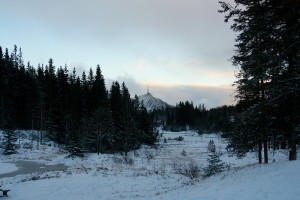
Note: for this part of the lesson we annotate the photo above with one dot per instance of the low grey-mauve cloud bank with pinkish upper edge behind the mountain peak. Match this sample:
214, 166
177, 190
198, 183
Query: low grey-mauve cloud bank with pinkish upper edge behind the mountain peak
210, 96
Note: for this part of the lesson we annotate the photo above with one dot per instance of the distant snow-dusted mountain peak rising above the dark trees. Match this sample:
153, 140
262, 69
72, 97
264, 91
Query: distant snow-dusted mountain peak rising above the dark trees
152, 103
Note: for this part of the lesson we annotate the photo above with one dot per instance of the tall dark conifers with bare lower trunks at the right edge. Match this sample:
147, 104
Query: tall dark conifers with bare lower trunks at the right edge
268, 86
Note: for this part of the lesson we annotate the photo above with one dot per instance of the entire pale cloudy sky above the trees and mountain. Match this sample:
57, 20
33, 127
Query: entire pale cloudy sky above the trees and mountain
180, 49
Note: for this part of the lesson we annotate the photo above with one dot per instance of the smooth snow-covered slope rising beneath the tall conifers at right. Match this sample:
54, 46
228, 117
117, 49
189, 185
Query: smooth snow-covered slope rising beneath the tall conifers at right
274, 181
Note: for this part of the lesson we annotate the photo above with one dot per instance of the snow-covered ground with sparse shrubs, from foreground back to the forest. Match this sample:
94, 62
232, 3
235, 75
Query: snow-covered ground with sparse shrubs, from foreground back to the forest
149, 173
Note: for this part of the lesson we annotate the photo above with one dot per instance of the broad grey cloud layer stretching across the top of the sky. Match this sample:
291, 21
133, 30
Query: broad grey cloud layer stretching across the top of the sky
191, 24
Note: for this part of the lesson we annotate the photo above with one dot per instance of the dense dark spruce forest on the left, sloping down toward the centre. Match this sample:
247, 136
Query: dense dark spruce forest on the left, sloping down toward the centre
76, 111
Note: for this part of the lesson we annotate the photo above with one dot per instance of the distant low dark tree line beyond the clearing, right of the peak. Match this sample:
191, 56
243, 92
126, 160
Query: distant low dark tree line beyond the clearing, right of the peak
186, 115
